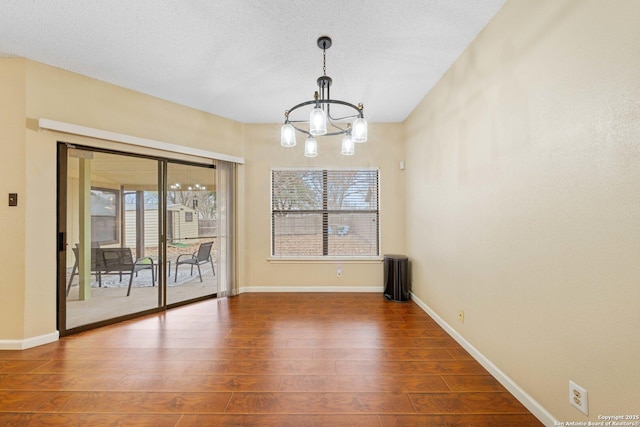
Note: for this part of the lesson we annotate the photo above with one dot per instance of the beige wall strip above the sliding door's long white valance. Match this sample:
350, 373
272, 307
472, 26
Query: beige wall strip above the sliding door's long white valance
67, 97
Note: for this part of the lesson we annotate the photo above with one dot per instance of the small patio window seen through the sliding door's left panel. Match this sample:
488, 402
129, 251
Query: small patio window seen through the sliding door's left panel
104, 215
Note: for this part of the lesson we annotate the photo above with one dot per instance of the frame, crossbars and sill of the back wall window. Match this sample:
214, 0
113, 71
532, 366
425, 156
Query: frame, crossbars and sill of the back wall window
325, 212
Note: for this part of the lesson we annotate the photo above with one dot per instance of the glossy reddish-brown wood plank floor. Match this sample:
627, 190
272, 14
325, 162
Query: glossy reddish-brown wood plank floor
259, 360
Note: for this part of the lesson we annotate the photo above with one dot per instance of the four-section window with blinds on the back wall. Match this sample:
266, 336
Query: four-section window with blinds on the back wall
326, 212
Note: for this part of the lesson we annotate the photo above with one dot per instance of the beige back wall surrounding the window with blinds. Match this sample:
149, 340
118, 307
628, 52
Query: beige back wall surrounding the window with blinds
384, 149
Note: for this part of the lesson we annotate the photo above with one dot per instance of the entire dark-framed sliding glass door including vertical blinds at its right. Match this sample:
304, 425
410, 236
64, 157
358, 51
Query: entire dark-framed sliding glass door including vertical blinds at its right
138, 234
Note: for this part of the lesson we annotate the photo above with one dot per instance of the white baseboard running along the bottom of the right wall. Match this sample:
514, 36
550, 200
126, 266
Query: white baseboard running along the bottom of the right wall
529, 402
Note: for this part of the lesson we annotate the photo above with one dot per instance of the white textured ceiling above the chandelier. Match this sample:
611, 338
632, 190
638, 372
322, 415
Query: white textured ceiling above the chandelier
250, 60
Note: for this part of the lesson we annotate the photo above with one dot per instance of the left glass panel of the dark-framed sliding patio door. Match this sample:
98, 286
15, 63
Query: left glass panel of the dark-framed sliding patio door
114, 254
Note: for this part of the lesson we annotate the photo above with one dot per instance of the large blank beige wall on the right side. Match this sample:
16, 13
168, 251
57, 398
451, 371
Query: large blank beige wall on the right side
523, 200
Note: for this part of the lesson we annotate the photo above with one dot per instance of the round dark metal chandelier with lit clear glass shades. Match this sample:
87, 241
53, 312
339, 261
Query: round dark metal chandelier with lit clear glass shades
320, 116
